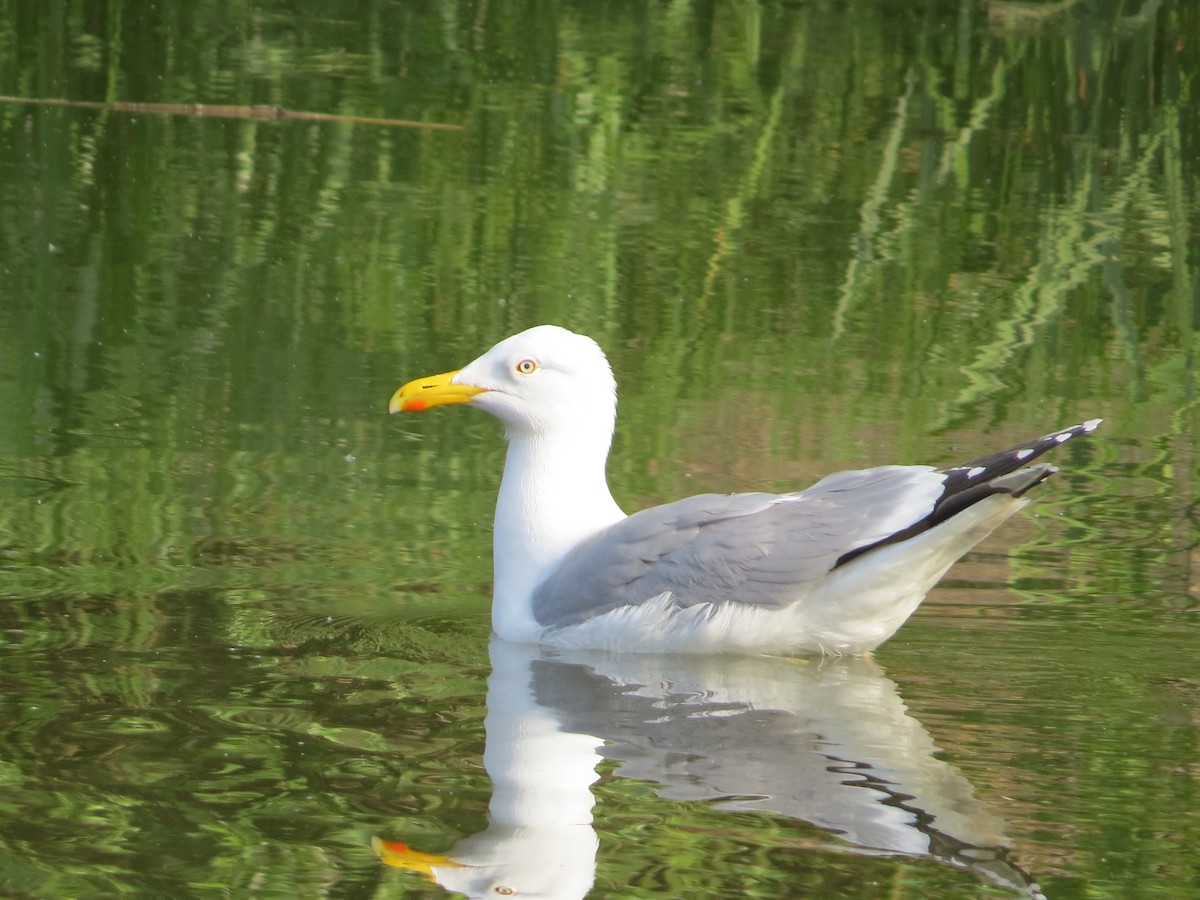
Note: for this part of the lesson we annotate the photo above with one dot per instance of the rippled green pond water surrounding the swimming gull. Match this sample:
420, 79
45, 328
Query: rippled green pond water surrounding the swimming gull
245, 613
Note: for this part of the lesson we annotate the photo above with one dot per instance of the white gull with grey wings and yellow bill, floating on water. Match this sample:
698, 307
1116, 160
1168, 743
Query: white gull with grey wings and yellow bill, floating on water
835, 569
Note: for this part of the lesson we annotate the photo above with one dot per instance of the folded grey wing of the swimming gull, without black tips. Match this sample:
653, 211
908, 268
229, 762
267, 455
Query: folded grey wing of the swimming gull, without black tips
755, 549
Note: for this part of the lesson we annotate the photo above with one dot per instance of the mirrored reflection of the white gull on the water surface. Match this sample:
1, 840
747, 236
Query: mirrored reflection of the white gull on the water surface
824, 742
